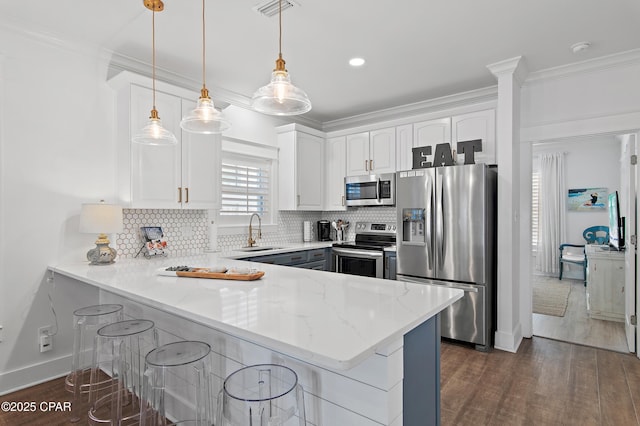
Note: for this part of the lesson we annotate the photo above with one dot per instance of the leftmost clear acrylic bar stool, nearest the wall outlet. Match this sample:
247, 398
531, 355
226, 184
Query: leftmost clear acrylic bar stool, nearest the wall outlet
86, 321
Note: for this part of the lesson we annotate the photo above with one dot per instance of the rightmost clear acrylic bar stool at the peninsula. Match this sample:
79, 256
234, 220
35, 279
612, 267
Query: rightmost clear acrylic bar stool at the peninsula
263, 394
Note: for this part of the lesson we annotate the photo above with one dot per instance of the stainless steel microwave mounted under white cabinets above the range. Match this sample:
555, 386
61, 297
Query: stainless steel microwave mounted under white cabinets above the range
371, 190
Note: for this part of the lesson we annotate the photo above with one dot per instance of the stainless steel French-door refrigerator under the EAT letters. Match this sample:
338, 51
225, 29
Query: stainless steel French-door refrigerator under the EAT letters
447, 236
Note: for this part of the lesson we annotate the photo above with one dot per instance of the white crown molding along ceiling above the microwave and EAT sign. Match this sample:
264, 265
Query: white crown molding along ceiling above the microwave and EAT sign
417, 108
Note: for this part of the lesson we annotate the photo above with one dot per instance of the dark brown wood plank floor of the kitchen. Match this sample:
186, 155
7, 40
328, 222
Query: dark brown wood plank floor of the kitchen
546, 383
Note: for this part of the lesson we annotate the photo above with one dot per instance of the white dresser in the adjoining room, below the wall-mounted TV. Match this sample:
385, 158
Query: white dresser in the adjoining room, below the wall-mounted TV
605, 283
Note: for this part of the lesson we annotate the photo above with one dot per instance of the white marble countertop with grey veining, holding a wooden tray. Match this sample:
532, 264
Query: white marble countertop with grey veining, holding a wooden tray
324, 318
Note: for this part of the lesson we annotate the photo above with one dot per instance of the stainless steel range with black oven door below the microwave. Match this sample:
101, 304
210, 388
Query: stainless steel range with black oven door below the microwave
365, 255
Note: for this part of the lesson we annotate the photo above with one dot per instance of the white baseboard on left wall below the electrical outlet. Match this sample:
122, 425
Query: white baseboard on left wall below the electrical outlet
34, 374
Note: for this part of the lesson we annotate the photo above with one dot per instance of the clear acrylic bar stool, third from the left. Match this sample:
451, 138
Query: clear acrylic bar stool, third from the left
177, 385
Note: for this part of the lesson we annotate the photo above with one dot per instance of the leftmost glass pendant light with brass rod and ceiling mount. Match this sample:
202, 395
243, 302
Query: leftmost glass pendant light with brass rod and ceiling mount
153, 133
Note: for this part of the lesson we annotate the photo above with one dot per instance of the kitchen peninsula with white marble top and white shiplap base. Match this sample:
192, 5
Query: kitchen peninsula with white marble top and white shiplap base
366, 350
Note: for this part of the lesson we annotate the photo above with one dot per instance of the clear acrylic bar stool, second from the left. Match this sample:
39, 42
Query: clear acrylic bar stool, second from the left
119, 350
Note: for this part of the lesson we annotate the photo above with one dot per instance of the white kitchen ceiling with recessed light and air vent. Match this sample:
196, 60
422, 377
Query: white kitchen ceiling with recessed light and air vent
415, 49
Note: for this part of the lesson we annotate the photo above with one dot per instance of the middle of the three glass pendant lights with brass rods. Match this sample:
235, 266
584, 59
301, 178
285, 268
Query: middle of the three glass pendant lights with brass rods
204, 118
